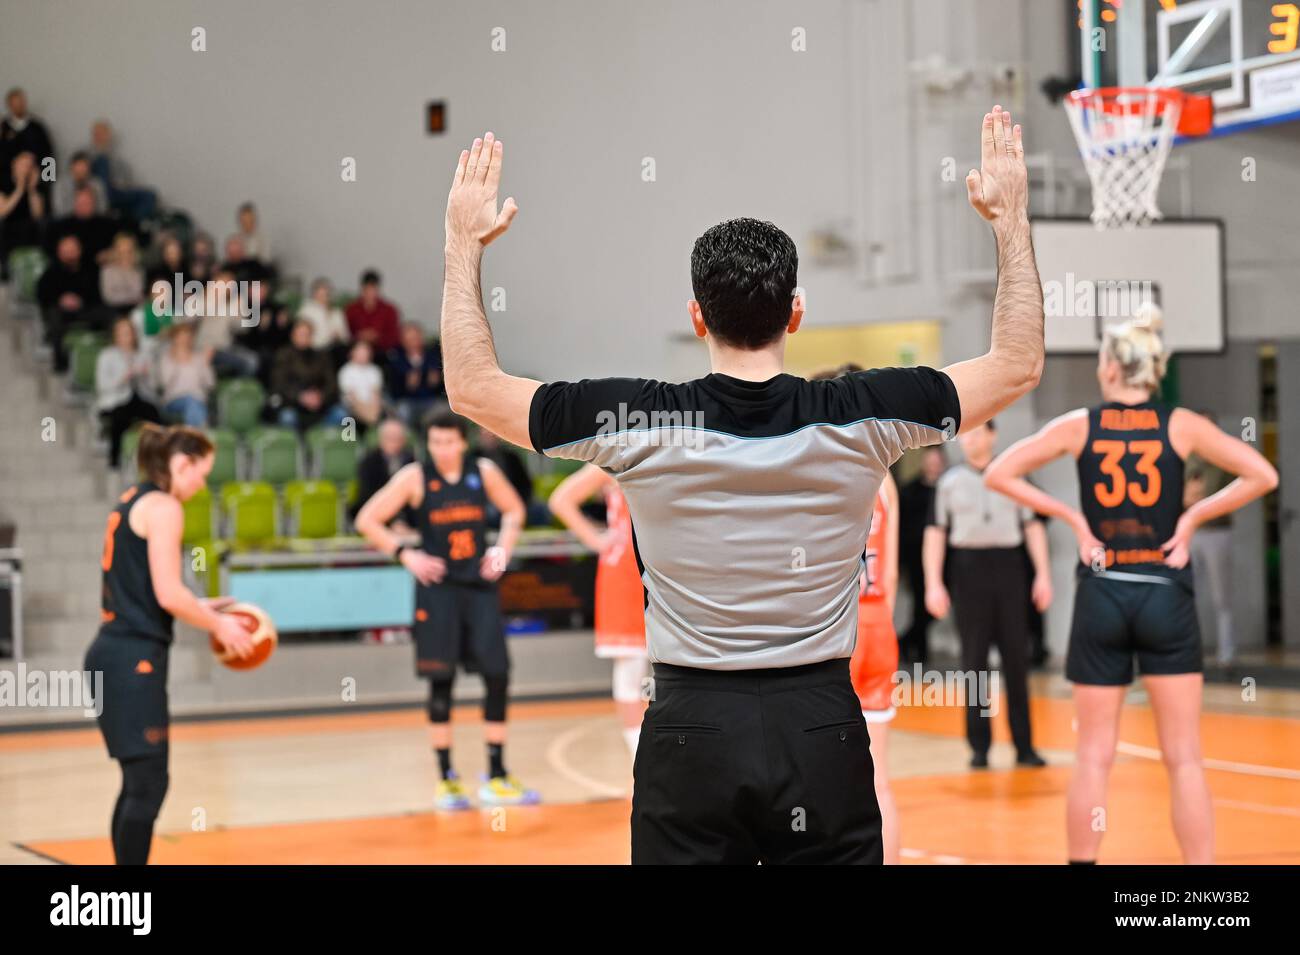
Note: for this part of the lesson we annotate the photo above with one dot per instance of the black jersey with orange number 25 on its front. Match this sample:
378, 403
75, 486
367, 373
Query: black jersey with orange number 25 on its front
454, 520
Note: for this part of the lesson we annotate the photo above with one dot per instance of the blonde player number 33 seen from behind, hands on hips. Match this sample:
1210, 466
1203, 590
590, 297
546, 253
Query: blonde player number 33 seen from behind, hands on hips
1136, 589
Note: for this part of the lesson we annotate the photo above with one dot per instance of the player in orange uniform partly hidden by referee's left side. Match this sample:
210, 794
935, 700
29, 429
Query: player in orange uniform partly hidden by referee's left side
621, 630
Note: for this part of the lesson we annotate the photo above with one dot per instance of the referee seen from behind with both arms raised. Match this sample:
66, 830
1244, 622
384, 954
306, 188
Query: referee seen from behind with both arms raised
748, 492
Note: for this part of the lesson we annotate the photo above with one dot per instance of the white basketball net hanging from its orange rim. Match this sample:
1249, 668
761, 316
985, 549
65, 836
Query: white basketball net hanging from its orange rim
1125, 136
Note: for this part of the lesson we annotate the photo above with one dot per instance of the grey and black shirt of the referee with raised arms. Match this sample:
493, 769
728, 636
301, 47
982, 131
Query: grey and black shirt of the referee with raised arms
749, 501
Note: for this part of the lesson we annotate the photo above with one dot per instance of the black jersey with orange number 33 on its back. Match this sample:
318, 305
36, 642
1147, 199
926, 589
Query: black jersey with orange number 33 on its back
1132, 483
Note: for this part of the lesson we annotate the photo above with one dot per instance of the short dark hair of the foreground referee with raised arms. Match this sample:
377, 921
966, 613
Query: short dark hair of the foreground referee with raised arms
744, 274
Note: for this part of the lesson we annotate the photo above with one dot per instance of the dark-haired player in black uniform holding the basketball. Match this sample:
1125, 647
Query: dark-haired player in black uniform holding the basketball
142, 593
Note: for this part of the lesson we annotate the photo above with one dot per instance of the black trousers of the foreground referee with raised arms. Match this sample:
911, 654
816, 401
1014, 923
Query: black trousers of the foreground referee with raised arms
744, 767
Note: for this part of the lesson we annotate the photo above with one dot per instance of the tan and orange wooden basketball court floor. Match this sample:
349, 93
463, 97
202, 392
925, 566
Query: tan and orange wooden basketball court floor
356, 788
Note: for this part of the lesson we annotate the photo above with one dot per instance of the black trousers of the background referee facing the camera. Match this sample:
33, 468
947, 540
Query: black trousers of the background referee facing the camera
990, 589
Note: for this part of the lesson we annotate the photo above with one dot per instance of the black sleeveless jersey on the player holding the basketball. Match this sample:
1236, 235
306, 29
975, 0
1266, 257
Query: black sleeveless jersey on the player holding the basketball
128, 602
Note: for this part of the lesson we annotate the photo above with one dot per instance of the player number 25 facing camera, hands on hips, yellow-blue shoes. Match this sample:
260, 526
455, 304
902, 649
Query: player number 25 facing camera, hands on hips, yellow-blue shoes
458, 609
